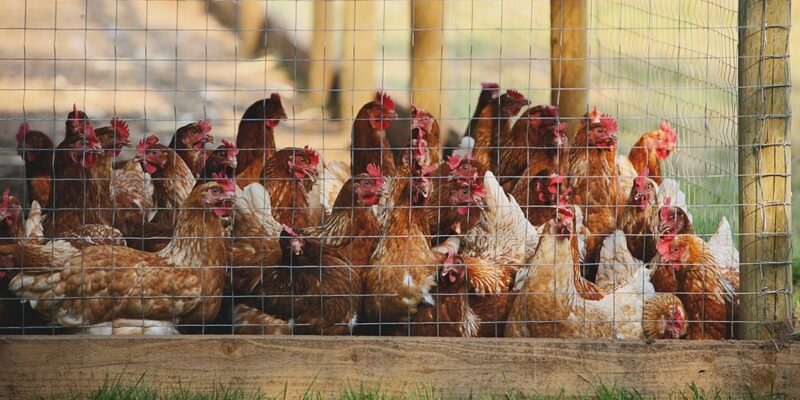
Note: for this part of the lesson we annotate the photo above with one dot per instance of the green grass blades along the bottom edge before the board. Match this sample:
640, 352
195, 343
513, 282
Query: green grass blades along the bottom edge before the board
141, 390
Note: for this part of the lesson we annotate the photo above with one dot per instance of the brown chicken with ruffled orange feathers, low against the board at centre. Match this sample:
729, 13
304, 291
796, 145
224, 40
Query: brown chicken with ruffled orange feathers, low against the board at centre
470, 300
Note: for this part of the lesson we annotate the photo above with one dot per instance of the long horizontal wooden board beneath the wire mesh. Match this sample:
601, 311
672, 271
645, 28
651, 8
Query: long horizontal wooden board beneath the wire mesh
51, 364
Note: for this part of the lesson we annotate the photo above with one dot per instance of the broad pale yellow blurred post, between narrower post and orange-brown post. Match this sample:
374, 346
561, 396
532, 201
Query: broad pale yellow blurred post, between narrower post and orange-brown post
359, 47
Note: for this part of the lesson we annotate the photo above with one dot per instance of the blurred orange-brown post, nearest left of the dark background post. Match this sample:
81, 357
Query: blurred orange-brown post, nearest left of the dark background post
426, 56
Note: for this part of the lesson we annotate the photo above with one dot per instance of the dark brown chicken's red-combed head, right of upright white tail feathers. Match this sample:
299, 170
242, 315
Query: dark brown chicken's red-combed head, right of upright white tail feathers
538, 194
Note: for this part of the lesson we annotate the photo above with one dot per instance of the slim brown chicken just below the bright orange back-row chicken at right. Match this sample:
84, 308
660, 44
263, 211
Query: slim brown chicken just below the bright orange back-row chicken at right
640, 219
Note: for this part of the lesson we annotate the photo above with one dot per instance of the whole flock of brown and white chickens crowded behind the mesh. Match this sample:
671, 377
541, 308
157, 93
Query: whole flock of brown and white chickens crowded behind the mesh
520, 232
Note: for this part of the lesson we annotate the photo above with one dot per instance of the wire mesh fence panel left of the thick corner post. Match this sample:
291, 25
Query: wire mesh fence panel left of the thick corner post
371, 168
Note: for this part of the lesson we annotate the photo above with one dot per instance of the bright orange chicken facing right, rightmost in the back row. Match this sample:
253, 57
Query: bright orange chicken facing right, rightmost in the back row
652, 148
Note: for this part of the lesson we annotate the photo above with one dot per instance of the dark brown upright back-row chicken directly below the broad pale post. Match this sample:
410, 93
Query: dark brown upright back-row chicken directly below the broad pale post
370, 145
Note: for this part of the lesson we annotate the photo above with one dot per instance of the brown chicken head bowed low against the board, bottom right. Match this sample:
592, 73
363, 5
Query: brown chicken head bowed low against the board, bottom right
664, 317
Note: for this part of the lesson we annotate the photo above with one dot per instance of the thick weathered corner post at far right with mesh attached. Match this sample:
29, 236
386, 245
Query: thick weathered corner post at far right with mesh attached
764, 170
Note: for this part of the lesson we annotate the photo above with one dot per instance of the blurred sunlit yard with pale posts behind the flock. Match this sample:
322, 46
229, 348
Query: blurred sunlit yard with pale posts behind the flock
163, 63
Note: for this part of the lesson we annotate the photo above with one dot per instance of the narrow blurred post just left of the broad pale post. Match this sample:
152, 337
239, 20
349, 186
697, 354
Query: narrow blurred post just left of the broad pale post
323, 52
